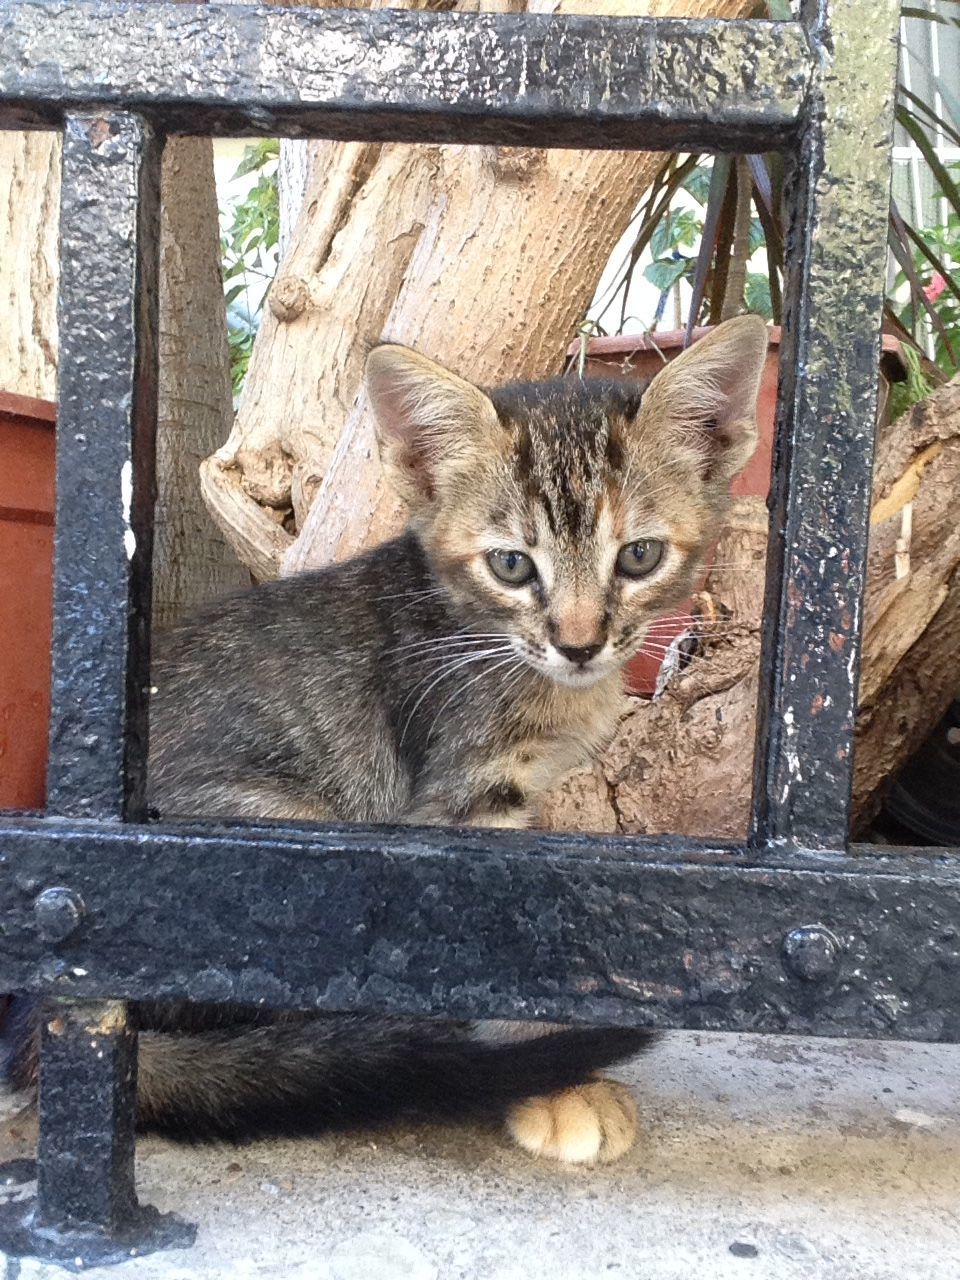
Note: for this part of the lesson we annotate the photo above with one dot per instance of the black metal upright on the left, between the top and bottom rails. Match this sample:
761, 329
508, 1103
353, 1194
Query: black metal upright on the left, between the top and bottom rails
107, 412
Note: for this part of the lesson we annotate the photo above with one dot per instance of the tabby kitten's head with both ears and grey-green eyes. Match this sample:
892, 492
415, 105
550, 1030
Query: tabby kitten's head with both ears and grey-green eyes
569, 515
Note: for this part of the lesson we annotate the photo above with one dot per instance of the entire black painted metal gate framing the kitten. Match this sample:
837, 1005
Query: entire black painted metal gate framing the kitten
790, 932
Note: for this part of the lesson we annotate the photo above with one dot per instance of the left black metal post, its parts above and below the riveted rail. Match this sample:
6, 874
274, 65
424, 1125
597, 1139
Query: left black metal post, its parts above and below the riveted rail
107, 419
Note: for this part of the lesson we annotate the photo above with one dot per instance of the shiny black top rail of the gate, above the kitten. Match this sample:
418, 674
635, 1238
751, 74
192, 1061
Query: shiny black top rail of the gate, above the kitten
532, 80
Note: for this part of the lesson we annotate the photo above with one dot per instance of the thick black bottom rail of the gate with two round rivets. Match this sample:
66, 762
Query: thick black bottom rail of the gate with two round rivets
452, 924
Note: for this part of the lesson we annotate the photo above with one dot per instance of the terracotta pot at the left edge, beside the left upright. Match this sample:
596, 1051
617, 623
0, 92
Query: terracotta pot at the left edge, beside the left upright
28, 445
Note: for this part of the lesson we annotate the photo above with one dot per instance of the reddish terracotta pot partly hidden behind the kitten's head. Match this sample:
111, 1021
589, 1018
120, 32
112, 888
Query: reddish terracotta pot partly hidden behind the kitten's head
644, 356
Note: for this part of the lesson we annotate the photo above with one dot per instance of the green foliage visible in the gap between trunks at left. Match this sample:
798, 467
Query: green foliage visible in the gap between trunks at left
249, 253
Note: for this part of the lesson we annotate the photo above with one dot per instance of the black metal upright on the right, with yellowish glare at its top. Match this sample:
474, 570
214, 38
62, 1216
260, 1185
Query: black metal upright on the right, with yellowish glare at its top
824, 464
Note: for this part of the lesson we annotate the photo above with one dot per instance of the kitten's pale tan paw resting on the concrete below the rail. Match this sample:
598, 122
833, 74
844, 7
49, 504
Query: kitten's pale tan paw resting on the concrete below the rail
592, 1124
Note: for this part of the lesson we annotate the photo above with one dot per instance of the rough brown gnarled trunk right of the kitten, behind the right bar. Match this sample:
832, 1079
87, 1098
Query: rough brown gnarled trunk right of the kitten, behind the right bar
684, 764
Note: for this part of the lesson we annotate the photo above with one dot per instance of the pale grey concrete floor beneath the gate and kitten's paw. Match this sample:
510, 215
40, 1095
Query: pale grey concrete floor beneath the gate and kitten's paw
762, 1159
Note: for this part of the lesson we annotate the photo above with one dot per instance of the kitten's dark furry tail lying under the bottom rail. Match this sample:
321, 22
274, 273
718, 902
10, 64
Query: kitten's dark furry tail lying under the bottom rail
304, 1075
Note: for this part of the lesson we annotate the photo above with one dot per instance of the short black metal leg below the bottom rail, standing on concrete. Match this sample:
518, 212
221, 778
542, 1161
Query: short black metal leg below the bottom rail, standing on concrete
89, 1068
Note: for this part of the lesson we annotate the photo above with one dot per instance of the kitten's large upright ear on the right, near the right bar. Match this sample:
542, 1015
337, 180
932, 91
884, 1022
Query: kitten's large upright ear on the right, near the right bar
708, 396
